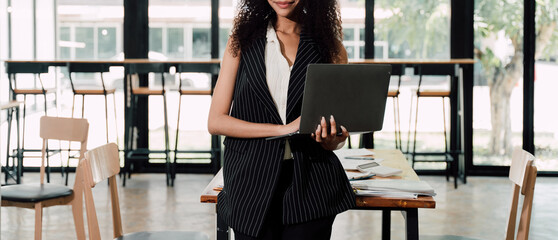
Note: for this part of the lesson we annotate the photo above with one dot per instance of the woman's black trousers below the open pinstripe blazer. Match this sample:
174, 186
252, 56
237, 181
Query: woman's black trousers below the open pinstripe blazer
273, 227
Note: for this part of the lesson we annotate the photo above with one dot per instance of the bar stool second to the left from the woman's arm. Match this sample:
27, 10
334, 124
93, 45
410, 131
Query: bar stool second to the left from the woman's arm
132, 152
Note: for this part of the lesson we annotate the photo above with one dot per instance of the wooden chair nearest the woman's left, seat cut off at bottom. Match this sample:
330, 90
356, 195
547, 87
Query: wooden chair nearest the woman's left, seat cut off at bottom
102, 163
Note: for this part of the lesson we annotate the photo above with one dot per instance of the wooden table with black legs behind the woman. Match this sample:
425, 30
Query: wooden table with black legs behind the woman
408, 207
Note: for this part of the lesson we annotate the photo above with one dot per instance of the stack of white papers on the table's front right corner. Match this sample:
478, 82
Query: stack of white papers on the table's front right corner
393, 188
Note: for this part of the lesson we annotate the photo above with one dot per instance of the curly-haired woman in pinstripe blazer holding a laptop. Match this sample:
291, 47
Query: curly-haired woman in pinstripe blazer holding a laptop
278, 189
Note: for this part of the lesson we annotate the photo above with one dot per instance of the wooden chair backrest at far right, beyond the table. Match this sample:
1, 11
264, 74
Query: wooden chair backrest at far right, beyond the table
523, 174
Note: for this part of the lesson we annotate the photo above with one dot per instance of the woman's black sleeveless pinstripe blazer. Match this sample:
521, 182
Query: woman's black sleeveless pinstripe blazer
251, 166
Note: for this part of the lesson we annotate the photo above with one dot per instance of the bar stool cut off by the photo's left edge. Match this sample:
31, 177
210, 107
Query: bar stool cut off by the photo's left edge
11, 171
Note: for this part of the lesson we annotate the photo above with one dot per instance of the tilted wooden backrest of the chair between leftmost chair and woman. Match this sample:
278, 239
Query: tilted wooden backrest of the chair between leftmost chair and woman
99, 164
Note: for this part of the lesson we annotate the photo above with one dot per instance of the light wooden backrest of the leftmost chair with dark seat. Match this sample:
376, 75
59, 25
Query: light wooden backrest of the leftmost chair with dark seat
65, 129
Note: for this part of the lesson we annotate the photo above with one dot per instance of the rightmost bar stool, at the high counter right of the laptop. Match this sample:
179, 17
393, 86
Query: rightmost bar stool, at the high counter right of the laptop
432, 70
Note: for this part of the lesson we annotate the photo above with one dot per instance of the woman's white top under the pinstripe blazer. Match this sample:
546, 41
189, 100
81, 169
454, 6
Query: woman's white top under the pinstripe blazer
278, 75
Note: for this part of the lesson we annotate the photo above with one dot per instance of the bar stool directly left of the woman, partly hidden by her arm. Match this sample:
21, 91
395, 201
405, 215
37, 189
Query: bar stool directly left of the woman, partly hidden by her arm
183, 68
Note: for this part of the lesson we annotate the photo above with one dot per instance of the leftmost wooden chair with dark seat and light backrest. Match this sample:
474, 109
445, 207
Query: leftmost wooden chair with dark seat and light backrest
38, 196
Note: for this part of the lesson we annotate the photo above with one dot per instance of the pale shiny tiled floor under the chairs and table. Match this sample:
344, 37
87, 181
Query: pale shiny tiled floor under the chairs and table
478, 209
